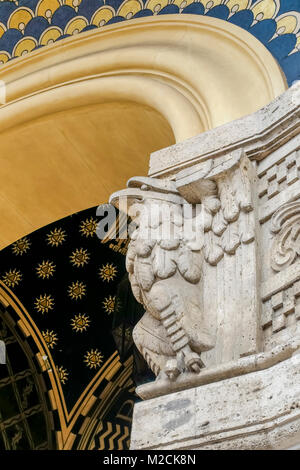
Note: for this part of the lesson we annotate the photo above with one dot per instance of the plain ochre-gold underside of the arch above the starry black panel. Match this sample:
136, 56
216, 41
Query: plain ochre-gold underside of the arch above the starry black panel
55, 166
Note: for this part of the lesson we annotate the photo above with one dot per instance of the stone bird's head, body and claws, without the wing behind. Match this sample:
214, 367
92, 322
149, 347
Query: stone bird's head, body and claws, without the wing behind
165, 271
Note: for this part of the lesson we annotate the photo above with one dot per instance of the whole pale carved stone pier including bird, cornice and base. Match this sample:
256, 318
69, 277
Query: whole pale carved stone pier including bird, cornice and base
222, 324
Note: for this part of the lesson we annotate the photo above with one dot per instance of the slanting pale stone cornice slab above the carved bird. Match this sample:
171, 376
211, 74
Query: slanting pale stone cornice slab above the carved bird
254, 133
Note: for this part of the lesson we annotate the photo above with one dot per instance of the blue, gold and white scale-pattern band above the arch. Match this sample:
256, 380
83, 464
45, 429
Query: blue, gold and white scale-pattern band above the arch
26, 25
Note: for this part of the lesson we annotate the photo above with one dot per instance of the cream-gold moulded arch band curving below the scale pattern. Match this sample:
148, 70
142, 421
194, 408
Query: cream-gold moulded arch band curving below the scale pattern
198, 72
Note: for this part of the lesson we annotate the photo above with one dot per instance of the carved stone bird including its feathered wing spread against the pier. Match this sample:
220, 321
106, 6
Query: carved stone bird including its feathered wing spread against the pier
170, 240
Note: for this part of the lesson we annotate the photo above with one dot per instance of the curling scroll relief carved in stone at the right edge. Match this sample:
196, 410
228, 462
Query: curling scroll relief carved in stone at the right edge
286, 245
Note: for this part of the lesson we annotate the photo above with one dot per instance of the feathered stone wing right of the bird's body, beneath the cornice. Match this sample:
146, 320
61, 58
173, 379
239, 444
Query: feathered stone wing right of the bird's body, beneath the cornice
225, 193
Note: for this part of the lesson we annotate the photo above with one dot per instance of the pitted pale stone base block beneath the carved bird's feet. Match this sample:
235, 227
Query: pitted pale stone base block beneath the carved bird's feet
260, 410
